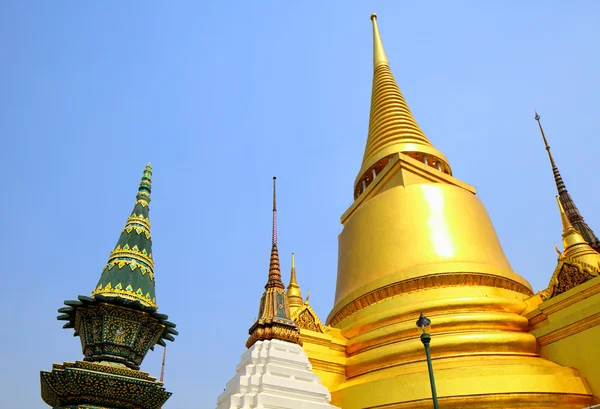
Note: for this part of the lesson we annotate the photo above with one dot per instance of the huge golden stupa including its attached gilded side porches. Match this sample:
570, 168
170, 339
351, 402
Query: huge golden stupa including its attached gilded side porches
417, 239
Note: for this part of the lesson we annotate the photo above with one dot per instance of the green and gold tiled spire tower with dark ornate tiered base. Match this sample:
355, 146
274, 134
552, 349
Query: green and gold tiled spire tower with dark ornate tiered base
117, 326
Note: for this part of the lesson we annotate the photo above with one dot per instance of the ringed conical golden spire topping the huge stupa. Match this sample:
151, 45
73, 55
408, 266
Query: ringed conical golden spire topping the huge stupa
392, 127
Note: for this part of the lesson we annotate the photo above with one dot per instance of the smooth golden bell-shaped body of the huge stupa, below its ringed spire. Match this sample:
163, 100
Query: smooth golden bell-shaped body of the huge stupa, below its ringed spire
417, 230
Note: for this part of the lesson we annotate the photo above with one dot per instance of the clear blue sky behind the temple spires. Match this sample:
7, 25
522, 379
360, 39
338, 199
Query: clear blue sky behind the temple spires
221, 96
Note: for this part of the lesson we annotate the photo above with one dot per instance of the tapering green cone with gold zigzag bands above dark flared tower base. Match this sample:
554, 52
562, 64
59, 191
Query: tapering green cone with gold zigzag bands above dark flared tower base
129, 273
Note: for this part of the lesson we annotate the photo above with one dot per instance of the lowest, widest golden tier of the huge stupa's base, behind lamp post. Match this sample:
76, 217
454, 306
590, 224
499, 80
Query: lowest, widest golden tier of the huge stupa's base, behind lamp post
468, 382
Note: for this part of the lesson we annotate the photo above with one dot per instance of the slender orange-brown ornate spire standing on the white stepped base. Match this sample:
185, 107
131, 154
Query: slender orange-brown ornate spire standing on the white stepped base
274, 320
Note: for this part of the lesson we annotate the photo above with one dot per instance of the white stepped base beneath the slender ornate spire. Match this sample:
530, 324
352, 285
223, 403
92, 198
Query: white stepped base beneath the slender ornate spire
275, 374
